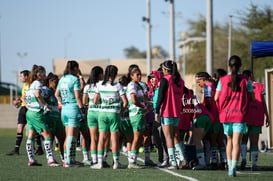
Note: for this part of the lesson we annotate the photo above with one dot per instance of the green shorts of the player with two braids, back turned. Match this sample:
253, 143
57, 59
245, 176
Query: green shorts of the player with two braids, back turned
109, 122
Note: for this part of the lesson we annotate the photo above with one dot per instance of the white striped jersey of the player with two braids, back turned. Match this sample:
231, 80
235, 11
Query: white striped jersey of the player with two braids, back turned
110, 96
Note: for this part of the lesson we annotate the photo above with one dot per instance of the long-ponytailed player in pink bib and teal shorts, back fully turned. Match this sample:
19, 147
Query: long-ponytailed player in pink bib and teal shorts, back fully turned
232, 94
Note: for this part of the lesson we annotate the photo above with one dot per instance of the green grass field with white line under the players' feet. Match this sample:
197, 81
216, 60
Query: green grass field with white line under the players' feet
15, 168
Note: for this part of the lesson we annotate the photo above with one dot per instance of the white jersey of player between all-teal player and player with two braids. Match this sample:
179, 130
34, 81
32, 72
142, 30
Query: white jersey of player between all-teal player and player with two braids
90, 89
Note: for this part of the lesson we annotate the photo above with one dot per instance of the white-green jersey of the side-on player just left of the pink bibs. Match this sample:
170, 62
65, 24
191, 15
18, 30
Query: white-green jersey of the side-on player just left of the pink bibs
137, 89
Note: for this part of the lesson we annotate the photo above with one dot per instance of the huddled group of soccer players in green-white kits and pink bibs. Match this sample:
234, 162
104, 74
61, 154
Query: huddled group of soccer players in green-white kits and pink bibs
188, 131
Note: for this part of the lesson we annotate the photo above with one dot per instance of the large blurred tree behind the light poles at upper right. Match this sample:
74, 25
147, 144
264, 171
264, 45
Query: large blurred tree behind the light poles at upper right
255, 24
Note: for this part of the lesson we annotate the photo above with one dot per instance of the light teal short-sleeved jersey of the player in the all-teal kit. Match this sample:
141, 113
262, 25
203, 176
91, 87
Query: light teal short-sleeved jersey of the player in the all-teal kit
67, 85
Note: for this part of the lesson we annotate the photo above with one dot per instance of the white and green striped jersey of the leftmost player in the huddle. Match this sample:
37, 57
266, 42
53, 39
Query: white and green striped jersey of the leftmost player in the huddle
31, 99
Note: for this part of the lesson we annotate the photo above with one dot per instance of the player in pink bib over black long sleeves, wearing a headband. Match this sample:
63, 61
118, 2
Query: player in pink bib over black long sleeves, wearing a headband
169, 105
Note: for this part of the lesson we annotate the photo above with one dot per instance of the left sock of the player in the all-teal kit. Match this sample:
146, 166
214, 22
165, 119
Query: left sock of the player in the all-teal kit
71, 144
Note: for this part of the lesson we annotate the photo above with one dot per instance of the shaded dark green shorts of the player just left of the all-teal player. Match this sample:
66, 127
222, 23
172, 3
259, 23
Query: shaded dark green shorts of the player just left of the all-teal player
54, 122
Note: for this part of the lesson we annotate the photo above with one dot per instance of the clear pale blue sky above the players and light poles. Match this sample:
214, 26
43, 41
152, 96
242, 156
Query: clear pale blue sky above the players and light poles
37, 31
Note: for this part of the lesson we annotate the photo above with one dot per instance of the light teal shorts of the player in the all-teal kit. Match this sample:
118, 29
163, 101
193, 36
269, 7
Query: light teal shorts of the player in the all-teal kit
71, 115
